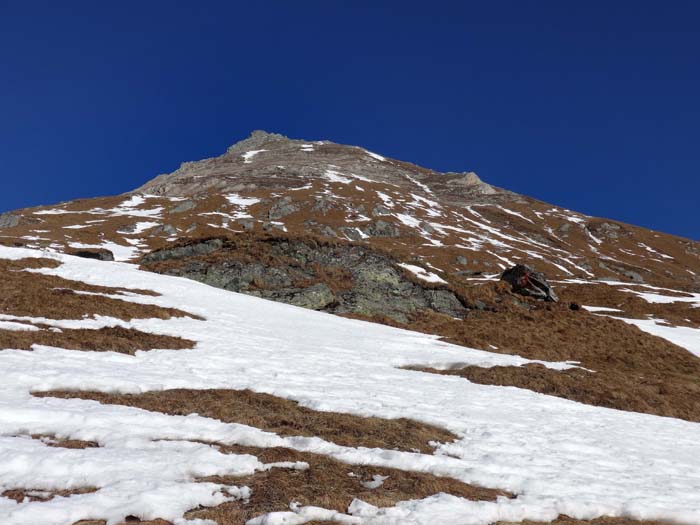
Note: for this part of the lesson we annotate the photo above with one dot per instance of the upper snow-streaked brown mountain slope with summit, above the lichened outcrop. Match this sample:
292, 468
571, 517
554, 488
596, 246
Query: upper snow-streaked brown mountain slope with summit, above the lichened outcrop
451, 221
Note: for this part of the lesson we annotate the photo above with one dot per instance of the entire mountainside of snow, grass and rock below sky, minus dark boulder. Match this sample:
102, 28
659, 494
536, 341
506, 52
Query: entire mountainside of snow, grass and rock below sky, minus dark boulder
341, 230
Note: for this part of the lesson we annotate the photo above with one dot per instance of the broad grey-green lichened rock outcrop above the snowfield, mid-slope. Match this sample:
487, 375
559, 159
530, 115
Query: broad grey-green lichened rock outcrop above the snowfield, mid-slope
339, 278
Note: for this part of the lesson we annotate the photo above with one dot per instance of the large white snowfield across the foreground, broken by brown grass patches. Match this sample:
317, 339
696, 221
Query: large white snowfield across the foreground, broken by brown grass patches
555, 456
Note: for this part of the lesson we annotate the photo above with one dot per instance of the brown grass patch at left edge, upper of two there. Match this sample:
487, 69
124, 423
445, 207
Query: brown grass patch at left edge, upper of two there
37, 295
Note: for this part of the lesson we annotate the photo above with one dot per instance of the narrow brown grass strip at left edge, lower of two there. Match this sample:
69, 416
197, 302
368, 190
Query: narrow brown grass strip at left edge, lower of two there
109, 339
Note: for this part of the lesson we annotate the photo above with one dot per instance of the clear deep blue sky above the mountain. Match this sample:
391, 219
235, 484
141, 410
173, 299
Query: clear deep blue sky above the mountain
591, 105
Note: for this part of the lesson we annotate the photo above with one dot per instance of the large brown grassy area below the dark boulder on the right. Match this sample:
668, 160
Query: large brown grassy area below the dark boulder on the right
634, 371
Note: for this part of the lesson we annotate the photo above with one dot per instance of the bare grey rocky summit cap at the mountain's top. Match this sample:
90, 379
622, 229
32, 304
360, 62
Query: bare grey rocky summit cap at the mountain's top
273, 160
